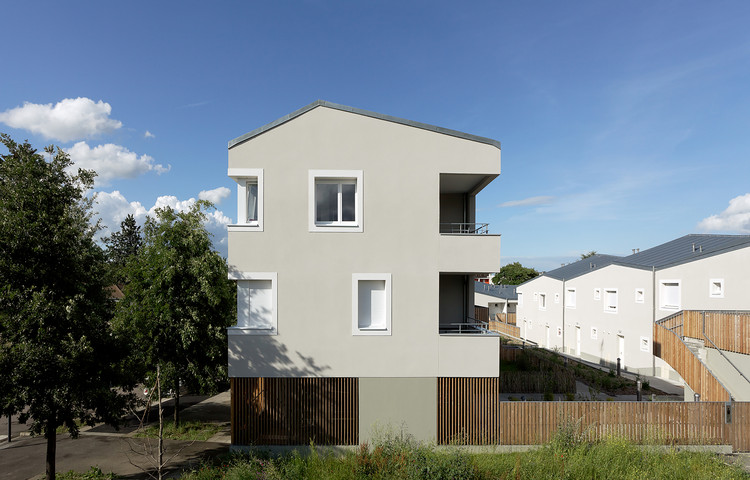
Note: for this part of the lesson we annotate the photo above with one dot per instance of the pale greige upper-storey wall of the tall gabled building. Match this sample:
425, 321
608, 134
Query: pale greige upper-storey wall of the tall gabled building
401, 169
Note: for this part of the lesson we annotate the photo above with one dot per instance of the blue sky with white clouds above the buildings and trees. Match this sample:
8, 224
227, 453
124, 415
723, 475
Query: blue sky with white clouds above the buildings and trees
623, 124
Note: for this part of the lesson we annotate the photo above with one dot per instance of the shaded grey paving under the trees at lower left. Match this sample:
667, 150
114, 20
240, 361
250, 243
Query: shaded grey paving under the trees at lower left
116, 451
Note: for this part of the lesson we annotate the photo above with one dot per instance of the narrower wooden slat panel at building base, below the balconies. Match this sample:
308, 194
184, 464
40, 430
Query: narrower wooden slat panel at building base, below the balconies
468, 410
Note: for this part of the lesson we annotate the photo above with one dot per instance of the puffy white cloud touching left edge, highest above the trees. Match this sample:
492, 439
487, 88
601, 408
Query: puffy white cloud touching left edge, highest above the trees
69, 119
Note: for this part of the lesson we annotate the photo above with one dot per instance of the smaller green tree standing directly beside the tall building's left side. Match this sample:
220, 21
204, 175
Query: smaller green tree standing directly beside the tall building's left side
178, 303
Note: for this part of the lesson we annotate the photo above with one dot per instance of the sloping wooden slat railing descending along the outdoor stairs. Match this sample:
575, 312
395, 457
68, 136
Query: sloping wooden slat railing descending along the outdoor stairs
669, 346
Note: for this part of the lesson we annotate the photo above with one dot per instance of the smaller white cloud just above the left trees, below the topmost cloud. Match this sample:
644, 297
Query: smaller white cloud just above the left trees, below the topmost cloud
112, 161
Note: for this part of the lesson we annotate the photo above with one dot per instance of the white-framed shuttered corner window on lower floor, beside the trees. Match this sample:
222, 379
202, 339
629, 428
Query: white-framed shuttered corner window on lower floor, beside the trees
256, 304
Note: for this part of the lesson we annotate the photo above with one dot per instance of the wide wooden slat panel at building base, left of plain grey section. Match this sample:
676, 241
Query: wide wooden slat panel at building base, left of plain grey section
295, 411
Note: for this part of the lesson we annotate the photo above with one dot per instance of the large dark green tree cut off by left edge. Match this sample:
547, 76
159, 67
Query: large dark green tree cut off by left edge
58, 358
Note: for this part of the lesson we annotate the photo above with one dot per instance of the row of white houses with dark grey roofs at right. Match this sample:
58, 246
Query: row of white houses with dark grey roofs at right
604, 307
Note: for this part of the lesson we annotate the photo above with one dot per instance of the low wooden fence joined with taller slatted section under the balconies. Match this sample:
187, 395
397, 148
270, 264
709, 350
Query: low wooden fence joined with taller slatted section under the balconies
467, 415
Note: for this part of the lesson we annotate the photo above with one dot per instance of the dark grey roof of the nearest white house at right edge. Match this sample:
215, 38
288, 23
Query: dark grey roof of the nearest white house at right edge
685, 249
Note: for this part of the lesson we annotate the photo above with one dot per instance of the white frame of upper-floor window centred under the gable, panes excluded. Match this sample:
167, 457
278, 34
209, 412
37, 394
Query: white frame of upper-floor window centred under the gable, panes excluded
336, 176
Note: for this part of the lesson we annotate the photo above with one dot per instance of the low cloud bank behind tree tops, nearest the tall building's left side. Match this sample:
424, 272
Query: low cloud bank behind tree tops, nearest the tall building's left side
113, 207
